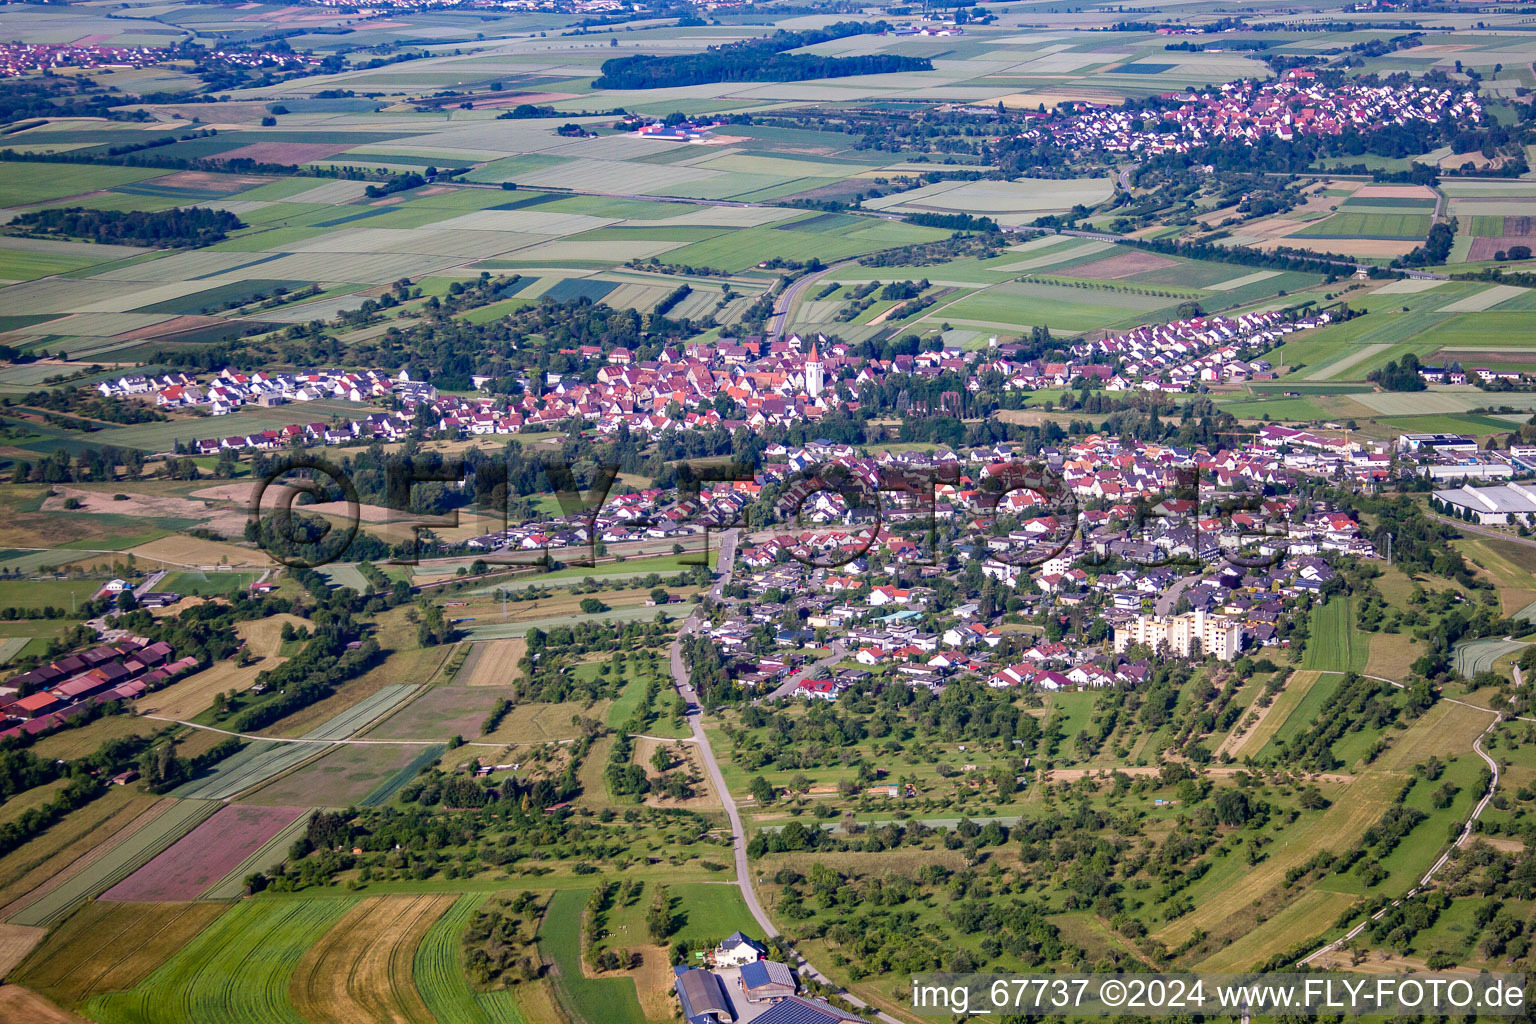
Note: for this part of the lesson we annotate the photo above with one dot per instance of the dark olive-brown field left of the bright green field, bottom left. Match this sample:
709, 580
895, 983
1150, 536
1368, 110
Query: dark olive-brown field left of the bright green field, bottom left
113, 946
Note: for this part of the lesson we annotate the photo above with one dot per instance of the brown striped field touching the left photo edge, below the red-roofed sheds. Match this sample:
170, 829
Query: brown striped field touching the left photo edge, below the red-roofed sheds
71, 845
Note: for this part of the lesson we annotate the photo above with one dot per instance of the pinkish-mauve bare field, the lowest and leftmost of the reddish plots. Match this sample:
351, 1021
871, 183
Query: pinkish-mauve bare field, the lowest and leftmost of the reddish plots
204, 856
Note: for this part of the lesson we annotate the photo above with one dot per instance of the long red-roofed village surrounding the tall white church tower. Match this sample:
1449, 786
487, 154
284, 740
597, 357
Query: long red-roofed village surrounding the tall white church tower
767, 383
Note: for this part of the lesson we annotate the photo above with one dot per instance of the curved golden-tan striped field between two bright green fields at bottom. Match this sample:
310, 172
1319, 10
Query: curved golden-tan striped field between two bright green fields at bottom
362, 968
